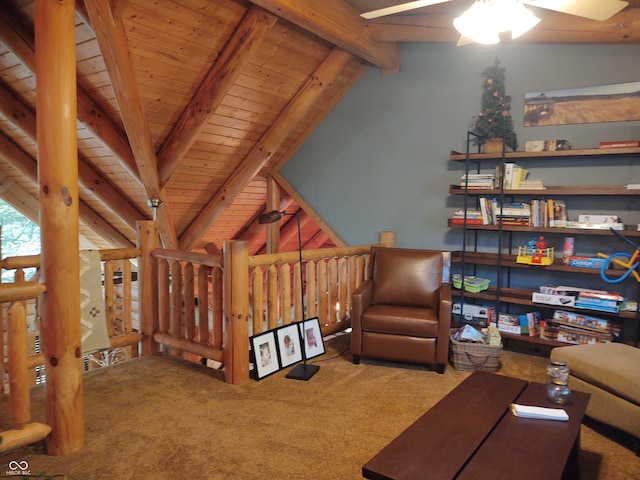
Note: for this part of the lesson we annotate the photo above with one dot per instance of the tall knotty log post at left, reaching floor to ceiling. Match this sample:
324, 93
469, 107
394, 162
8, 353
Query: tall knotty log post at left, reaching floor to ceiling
58, 192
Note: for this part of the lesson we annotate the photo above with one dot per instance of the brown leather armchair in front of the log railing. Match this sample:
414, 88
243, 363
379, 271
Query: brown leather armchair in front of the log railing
402, 312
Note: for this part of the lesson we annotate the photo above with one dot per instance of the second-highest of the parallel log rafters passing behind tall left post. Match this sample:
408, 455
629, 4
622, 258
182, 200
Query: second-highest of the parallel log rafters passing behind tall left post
91, 182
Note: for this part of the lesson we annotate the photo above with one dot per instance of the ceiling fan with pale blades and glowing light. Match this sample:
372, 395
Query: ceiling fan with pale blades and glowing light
487, 18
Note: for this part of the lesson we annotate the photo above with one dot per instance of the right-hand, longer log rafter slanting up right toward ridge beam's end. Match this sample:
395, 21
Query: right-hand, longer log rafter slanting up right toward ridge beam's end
318, 83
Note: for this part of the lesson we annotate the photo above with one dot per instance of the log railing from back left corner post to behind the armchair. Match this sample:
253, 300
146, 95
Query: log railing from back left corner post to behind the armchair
200, 296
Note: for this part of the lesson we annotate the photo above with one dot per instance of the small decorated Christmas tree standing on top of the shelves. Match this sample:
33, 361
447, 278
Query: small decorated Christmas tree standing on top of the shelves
494, 120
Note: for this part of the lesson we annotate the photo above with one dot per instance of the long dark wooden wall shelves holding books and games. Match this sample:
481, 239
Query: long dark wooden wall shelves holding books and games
504, 261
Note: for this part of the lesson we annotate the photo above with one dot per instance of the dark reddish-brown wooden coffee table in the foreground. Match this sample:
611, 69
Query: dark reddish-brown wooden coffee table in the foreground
471, 434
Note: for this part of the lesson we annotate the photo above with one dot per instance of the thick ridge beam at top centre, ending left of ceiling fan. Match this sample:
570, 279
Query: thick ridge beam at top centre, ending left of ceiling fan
338, 23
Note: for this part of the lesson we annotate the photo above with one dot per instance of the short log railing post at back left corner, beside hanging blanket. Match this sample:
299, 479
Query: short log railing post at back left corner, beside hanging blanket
148, 240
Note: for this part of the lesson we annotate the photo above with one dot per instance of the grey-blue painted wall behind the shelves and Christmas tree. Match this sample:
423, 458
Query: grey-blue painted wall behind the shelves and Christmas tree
379, 161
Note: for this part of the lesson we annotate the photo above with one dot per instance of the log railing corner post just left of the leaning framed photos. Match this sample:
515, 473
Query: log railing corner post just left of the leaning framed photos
236, 311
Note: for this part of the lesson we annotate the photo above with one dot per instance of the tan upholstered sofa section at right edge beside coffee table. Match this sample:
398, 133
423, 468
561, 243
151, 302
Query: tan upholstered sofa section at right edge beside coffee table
610, 372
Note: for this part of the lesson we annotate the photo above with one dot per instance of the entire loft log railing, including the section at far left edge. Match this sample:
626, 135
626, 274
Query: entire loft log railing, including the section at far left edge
190, 303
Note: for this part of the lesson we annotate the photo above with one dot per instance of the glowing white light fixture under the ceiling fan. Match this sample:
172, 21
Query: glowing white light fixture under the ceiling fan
486, 19
